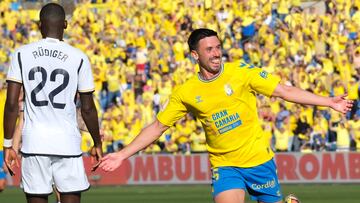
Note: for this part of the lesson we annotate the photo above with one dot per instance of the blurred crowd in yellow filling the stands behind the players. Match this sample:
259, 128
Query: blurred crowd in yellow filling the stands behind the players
138, 53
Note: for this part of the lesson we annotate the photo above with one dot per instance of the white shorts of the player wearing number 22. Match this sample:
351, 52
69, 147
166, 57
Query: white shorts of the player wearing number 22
39, 173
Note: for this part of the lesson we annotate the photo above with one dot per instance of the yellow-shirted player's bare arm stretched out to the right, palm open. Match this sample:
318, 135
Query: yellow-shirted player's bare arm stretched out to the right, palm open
297, 95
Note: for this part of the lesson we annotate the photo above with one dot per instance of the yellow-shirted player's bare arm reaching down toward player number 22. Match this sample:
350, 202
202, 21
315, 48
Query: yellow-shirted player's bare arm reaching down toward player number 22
147, 136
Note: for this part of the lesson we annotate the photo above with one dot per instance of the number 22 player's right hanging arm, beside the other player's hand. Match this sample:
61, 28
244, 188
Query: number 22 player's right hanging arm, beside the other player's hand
89, 114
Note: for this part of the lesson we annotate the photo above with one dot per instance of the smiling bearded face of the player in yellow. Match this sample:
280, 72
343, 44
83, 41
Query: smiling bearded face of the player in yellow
208, 54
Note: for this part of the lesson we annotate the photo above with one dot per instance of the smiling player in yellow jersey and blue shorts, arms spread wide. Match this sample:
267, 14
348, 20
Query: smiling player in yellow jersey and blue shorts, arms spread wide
223, 98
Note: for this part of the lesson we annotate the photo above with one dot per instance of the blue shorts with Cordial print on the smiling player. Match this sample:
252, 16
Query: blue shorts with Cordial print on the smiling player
261, 181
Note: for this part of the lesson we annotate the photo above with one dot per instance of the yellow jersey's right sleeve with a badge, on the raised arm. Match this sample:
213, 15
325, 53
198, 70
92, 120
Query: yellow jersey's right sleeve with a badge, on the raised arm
262, 81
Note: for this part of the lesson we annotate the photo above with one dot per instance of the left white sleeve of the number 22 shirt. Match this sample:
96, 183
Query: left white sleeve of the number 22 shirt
14, 73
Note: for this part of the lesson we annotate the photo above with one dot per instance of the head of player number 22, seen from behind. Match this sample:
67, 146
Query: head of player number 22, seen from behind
52, 21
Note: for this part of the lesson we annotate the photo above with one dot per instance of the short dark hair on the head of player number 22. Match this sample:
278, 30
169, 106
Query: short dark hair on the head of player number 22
52, 12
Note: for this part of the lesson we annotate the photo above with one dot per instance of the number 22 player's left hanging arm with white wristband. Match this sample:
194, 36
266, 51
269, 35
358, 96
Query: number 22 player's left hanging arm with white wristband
10, 116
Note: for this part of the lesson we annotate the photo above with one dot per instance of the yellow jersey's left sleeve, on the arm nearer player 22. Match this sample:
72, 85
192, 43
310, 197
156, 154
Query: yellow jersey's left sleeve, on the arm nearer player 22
174, 110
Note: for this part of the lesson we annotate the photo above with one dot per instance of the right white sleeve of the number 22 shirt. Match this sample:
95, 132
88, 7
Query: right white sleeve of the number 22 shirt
86, 80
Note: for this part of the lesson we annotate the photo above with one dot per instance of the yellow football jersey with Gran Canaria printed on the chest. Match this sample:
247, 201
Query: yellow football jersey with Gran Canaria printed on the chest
226, 107
